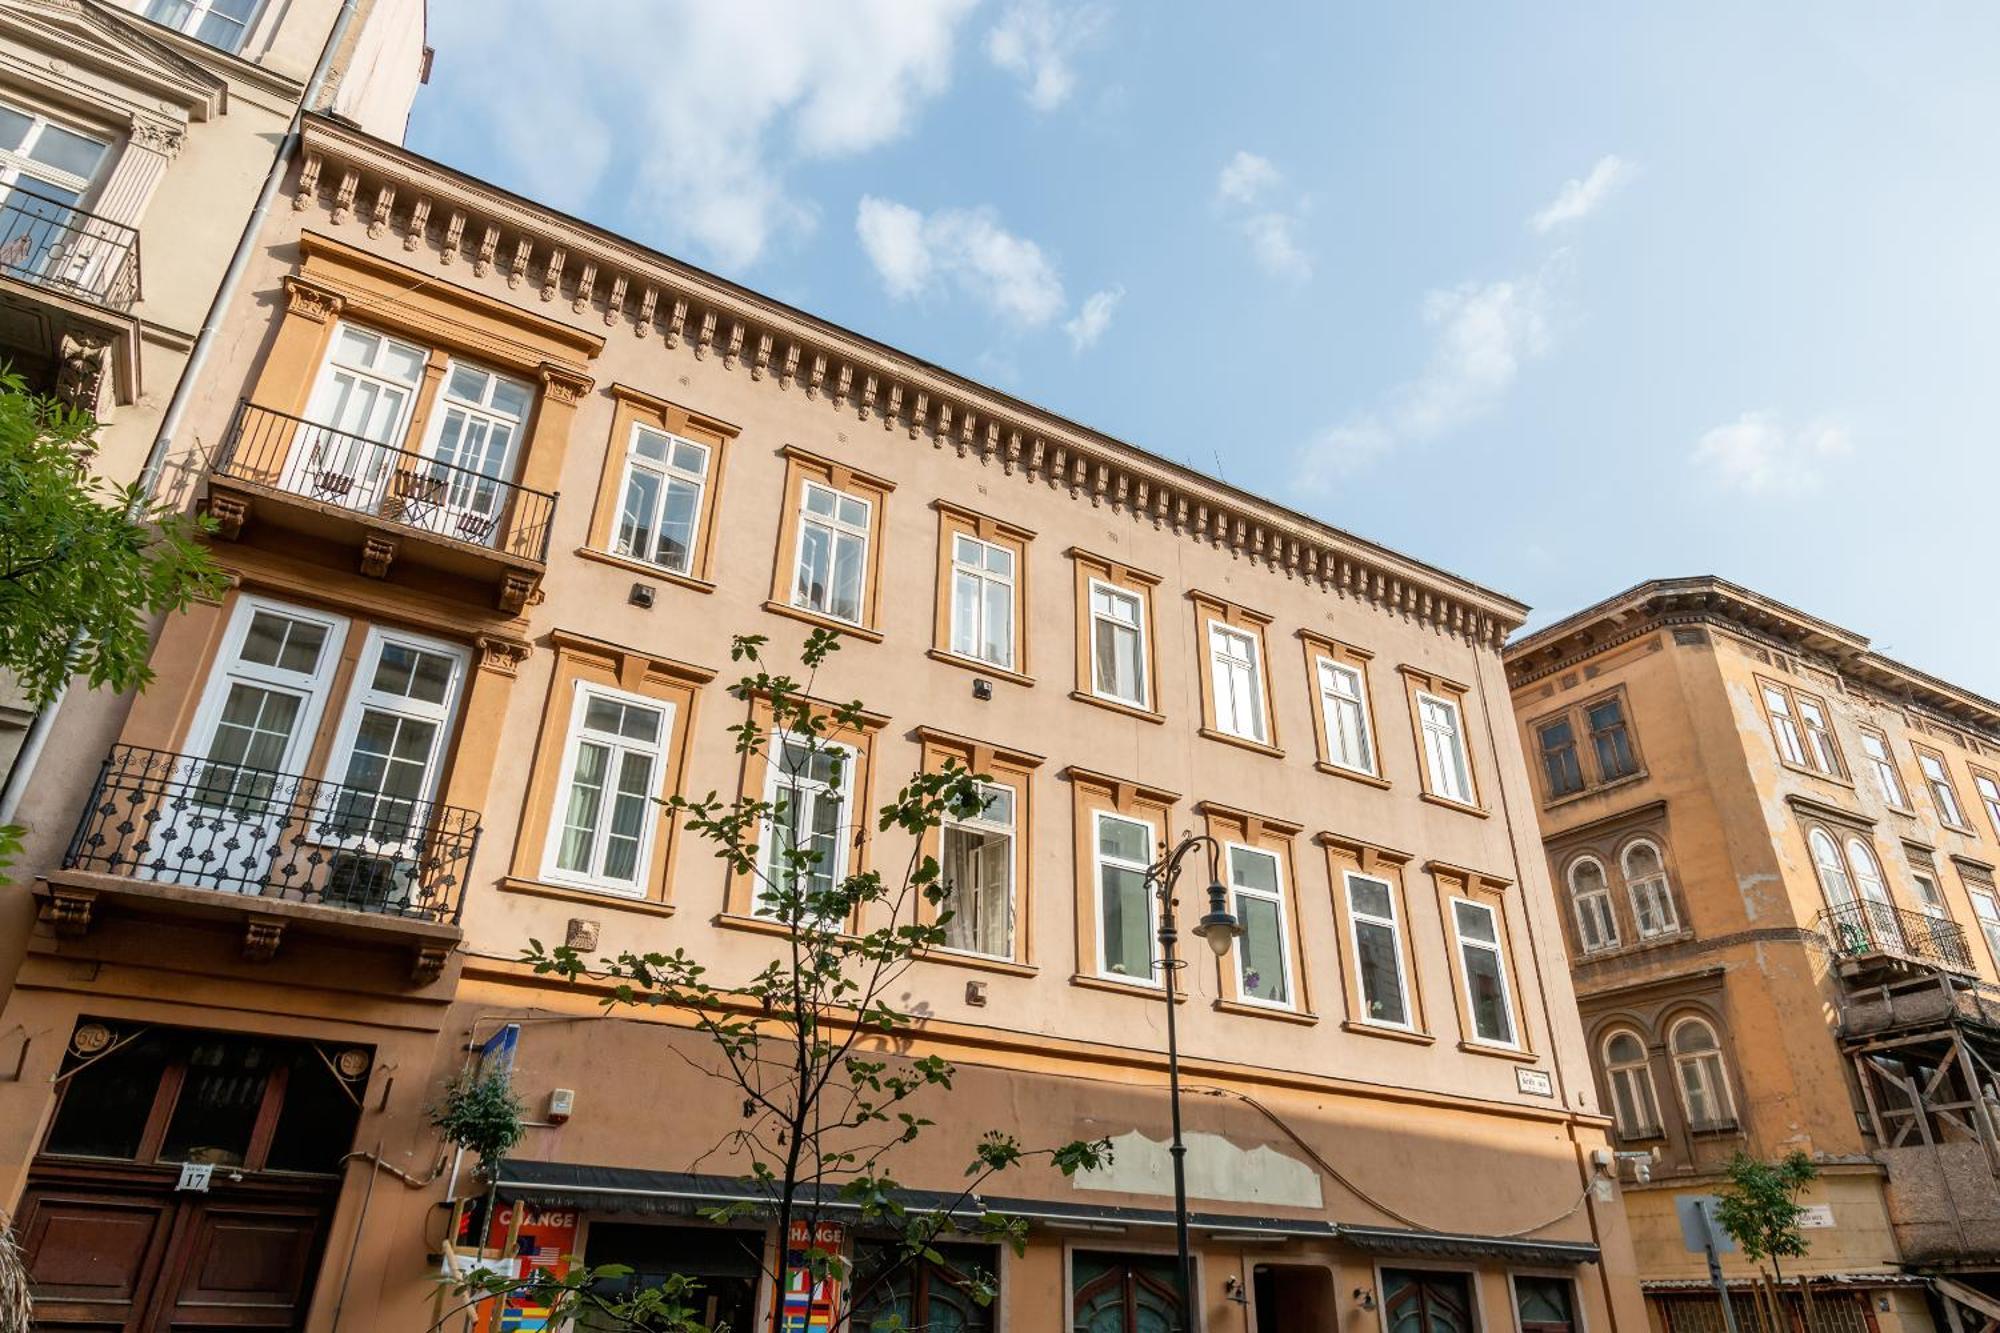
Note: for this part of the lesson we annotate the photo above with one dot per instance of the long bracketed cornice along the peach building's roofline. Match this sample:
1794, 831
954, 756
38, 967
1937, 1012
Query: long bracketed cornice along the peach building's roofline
455, 219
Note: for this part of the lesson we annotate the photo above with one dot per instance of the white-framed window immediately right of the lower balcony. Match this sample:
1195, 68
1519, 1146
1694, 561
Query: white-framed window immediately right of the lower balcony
605, 800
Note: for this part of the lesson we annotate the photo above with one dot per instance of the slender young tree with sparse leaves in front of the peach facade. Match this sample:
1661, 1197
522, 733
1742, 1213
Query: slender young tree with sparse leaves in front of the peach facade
801, 1042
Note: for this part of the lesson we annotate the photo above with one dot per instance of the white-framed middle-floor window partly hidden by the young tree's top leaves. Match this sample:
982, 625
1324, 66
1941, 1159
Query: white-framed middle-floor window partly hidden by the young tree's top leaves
809, 784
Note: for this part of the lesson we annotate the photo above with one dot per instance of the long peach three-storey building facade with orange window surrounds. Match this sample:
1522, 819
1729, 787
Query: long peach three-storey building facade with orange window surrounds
1353, 1148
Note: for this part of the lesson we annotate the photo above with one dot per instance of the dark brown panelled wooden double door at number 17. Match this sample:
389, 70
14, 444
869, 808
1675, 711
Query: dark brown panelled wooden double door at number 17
145, 1258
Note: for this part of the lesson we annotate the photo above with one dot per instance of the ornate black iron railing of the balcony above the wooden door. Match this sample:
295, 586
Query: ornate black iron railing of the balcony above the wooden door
203, 824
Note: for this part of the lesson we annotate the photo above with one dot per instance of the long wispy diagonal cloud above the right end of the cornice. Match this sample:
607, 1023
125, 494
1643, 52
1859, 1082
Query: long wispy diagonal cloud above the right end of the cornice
1483, 335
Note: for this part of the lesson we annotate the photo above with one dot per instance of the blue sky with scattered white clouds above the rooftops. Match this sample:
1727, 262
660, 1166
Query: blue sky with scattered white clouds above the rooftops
1557, 297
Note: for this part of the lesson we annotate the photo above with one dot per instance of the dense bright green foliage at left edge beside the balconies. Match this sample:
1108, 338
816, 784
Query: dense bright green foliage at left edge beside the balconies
85, 563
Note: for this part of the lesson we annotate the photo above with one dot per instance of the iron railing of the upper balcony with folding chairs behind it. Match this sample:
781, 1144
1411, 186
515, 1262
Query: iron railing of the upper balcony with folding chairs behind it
413, 491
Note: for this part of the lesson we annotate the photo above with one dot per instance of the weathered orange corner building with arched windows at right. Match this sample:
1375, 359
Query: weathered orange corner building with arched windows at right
1743, 740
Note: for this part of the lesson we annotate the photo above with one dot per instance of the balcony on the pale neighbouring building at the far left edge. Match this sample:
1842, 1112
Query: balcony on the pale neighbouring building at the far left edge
69, 281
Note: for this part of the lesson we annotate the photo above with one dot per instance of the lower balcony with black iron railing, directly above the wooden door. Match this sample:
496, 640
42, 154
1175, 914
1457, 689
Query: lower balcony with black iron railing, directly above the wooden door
199, 838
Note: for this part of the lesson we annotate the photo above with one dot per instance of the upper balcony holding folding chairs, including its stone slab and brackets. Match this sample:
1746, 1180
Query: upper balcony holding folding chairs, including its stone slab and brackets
389, 503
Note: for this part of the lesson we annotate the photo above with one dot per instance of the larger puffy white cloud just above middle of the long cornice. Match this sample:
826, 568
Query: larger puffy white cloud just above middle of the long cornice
917, 255
